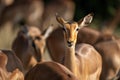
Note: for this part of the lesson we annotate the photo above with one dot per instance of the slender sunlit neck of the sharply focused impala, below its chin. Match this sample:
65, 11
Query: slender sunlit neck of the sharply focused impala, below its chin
70, 61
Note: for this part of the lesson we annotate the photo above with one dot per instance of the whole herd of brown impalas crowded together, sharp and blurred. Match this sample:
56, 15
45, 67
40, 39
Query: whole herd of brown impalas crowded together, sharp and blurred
77, 52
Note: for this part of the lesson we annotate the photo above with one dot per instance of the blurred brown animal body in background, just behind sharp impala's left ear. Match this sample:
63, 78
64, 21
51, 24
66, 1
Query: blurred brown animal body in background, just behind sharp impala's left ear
65, 8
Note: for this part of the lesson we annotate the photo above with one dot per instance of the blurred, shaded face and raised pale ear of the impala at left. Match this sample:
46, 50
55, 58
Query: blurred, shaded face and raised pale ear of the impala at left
39, 42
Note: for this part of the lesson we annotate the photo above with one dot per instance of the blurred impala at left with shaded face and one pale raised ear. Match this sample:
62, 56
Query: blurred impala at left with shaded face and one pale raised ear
30, 45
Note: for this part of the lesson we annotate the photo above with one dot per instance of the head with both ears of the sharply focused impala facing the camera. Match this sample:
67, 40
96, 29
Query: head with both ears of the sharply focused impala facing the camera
71, 28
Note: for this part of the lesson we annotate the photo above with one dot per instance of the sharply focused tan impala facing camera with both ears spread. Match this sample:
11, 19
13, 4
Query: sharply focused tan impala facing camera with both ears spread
82, 59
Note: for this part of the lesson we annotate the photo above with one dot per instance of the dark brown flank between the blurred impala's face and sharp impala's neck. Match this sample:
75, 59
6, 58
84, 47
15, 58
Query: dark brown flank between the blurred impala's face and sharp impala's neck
57, 49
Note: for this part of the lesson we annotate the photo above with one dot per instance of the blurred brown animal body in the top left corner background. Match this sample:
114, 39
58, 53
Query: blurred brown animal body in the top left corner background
29, 11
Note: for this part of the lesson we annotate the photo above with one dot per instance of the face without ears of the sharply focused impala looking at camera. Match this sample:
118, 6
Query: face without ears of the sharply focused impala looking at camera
70, 33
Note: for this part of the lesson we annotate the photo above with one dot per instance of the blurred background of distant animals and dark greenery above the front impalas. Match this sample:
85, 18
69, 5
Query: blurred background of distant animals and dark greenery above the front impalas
41, 13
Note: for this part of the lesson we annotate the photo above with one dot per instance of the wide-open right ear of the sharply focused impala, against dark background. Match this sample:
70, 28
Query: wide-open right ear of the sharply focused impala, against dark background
86, 20
